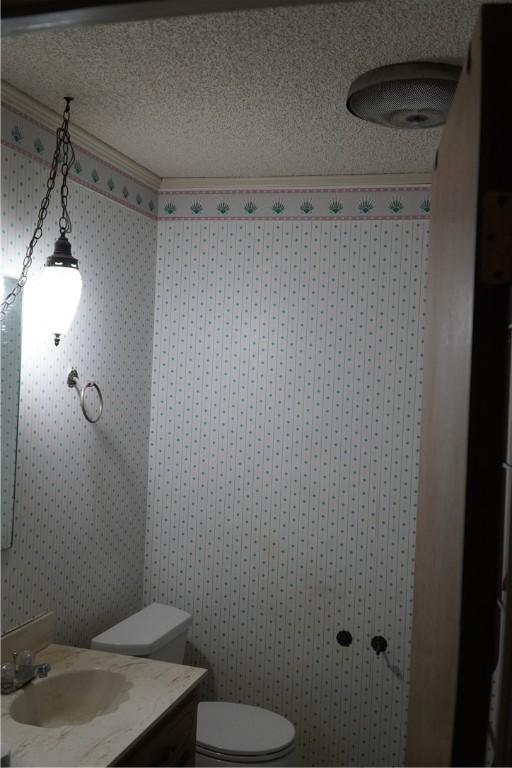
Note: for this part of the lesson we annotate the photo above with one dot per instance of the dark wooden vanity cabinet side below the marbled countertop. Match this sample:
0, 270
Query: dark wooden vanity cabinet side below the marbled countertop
170, 742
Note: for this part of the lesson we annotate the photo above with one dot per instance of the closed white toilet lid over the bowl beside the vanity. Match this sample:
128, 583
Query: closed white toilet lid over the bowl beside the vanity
239, 729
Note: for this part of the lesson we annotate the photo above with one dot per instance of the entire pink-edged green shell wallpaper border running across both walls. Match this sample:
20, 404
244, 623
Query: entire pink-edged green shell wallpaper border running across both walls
23, 134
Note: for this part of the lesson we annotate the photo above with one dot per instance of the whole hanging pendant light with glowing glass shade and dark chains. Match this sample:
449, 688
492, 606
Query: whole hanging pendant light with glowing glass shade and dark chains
61, 283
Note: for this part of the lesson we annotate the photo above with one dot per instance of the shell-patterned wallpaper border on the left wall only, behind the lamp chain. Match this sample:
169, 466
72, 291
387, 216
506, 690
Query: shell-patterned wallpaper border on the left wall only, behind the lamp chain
23, 134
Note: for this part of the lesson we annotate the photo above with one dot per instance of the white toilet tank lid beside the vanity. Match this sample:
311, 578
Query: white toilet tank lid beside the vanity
144, 632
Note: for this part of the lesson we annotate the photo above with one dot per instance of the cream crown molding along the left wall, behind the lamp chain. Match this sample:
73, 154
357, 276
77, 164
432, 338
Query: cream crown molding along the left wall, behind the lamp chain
50, 120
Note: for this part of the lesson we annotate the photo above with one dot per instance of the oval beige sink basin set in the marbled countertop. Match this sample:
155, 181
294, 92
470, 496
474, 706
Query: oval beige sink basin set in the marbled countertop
70, 698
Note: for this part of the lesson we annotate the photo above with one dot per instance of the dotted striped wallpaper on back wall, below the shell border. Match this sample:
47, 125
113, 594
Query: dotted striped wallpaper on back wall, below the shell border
283, 458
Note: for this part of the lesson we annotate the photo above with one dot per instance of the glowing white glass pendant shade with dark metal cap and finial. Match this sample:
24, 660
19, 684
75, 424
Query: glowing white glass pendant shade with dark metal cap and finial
61, 286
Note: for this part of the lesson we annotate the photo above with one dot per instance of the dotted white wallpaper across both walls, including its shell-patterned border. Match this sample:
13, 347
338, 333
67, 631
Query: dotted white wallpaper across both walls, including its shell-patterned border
279, 394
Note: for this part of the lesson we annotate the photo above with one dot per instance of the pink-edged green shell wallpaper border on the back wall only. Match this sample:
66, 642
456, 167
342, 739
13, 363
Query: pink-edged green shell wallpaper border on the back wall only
298, 204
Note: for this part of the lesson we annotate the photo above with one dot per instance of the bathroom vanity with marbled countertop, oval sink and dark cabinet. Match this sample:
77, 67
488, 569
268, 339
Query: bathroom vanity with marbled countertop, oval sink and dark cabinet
102, 709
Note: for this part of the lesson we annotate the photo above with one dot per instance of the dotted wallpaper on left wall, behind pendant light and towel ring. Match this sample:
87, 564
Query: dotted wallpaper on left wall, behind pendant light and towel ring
80, 509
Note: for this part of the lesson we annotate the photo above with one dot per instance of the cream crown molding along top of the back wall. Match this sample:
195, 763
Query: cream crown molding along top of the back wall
170, 184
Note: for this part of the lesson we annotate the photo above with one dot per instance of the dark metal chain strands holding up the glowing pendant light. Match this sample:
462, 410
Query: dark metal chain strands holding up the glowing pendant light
63, 151
